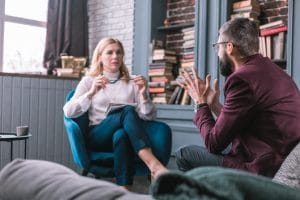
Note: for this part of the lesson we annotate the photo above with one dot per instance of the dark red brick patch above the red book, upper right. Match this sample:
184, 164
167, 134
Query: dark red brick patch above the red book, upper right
272, 10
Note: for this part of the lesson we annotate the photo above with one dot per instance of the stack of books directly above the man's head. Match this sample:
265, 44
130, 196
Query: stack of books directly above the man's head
246, 9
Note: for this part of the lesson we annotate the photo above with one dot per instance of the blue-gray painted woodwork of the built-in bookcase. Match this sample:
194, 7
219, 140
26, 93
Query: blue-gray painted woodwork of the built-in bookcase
209, 16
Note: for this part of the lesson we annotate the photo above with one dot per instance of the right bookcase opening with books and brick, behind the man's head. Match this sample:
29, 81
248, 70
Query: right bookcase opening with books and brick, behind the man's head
272, 18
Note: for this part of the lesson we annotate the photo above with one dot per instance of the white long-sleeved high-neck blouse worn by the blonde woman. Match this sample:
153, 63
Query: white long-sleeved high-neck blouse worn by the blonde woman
118, 92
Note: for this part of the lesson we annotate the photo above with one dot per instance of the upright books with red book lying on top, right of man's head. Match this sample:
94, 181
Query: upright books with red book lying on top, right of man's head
272, 40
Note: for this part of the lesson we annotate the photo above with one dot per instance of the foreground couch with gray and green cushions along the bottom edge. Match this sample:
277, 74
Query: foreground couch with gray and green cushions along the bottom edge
39, 180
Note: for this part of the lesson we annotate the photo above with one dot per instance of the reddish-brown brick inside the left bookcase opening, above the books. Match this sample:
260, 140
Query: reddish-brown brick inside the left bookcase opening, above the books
178, 12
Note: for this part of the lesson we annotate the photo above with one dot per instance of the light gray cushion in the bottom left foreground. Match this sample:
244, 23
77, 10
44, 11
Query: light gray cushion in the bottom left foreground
33, 179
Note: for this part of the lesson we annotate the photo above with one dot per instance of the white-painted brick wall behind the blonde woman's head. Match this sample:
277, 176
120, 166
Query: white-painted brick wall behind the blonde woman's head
111, 18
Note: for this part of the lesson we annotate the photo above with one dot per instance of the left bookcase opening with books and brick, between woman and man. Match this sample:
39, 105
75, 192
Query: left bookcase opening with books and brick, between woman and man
174, 53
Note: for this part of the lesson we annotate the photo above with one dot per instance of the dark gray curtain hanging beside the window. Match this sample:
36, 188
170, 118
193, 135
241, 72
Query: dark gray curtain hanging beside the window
67, 31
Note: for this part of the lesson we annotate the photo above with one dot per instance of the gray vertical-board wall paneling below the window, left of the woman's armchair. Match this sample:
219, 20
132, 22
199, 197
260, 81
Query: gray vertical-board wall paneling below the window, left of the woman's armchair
38, 103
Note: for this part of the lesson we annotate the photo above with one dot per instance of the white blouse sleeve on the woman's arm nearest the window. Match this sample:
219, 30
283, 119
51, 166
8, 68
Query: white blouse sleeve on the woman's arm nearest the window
79, 103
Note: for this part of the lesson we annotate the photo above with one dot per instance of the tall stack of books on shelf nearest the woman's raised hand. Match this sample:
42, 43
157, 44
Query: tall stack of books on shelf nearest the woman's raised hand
161, 74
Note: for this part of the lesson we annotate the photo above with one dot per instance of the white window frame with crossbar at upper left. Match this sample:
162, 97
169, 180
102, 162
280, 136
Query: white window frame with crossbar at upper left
17, 20
